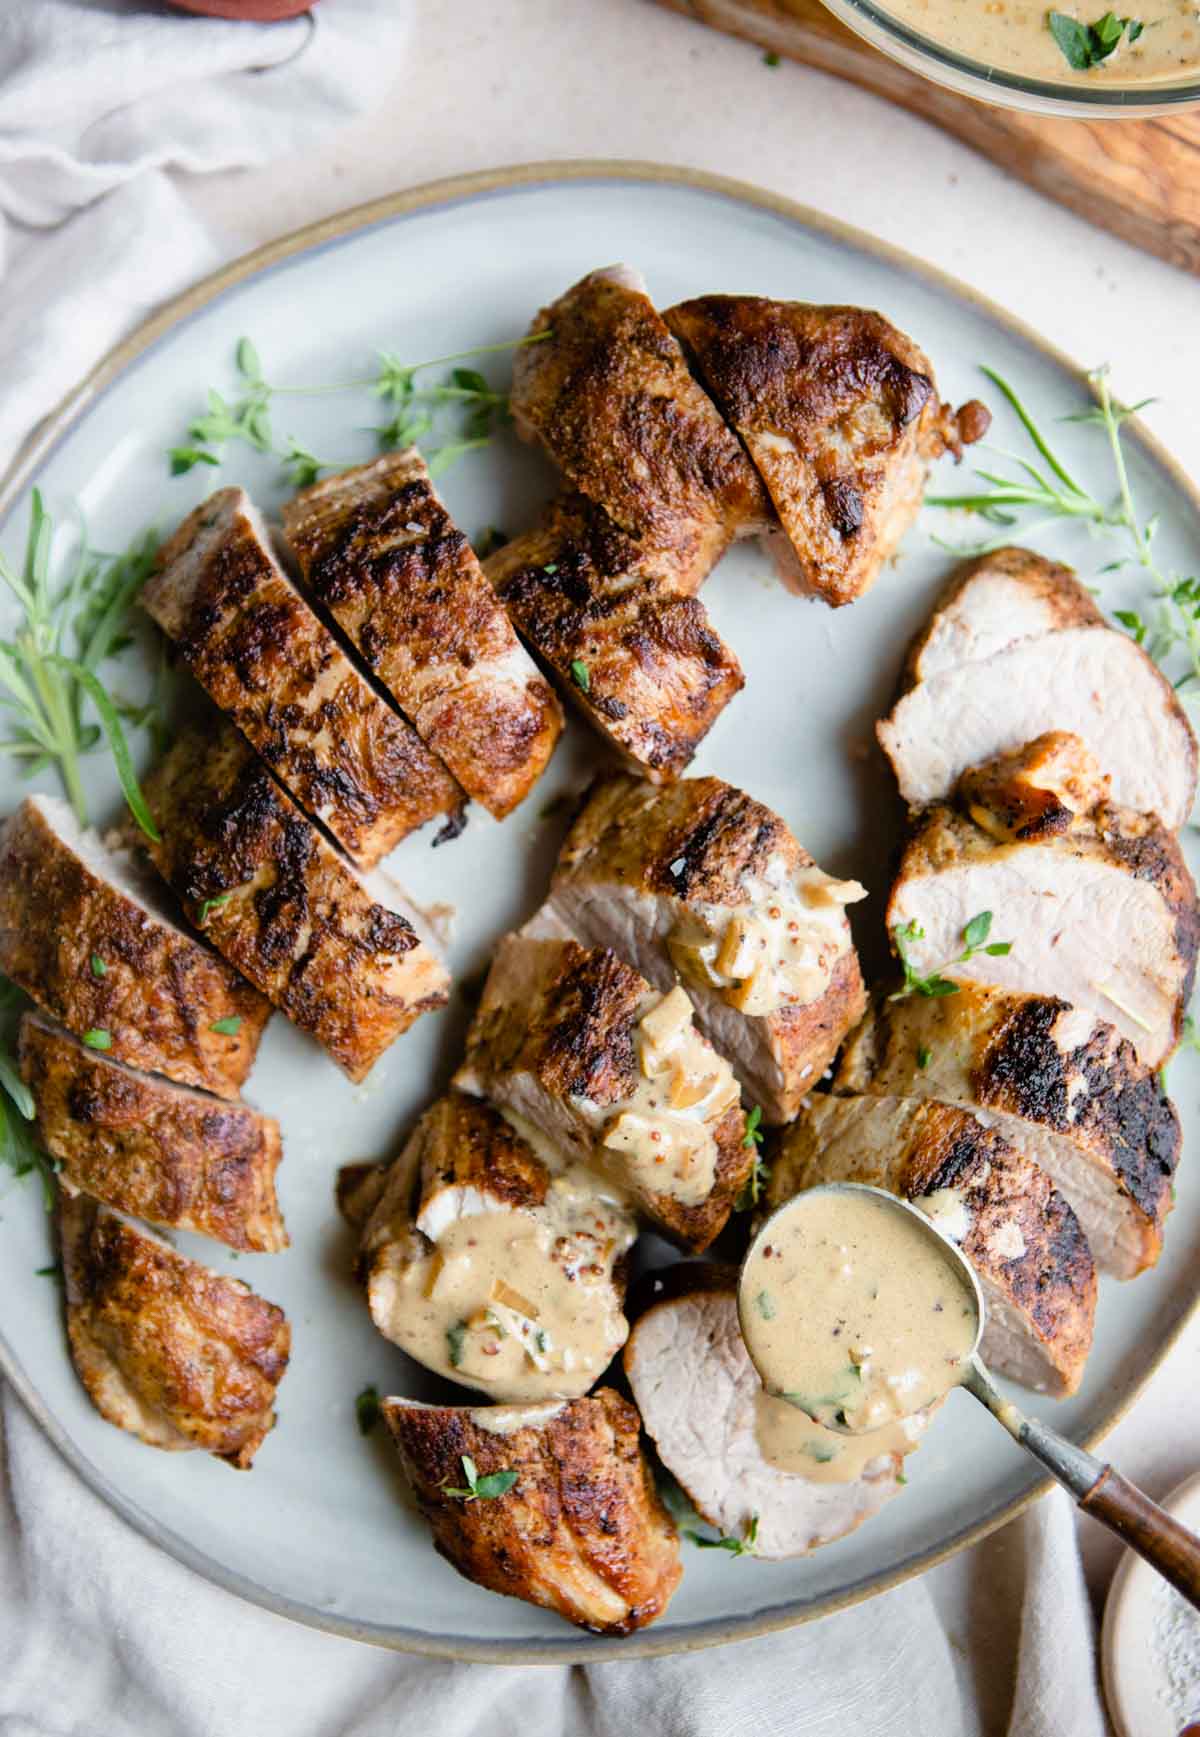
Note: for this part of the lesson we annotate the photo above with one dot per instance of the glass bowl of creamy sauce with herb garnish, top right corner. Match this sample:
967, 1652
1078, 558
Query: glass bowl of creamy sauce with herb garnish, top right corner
1078, 58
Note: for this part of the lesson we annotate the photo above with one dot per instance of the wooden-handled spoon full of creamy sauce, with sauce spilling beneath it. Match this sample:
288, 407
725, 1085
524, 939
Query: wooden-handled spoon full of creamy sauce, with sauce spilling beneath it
860, 1318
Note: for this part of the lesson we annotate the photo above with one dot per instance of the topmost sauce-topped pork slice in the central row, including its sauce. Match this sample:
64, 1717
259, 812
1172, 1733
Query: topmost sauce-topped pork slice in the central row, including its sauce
701, 882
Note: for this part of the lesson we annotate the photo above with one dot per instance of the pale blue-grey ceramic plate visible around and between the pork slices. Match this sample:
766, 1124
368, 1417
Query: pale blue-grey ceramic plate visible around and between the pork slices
320, 1529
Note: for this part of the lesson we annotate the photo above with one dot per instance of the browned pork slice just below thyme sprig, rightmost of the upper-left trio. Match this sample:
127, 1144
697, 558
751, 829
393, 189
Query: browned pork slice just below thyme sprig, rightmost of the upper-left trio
379, 551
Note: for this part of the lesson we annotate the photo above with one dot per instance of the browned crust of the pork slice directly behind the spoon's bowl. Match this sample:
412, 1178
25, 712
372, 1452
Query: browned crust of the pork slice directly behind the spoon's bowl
1052, 1283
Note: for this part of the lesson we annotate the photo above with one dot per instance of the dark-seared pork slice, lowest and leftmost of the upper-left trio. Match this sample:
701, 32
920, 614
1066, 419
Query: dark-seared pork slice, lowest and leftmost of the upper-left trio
343, 958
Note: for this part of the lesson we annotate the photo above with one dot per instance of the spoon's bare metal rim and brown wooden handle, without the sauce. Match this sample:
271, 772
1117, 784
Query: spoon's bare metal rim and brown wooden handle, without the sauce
1098, 1489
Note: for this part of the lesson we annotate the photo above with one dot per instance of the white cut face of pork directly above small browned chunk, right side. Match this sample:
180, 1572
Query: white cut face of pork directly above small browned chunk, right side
1090, 682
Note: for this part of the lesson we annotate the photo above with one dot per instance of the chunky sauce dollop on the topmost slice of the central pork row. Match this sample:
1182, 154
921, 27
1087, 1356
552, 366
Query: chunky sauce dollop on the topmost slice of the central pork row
777, 949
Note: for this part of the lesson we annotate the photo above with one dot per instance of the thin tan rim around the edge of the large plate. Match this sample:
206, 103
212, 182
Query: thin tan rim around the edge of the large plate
37, 451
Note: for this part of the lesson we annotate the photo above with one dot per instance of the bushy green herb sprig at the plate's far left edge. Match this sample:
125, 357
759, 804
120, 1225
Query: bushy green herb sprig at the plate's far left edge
49, 666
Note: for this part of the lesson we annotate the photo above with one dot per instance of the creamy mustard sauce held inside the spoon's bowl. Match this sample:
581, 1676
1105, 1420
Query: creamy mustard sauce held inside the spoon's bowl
852, 1312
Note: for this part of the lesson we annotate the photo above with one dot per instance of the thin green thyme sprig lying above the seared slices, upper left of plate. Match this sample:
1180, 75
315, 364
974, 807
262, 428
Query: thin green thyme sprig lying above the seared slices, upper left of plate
419, 413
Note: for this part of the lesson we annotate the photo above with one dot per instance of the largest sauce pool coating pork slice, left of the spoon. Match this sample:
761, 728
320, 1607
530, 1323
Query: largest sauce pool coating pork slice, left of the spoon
520, 1302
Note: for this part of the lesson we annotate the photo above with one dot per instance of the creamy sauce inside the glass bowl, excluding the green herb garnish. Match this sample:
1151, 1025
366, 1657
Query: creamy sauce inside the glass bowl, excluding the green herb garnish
1013, 37
